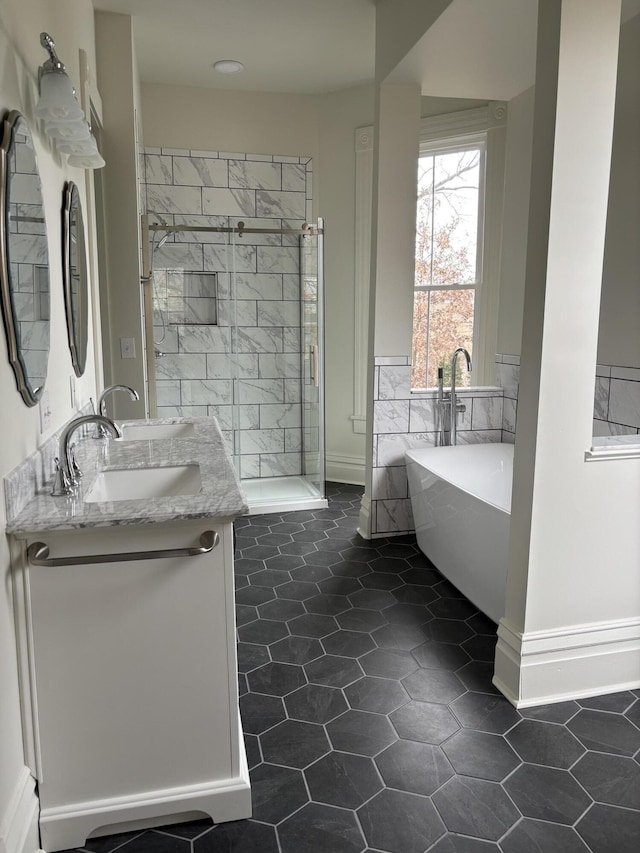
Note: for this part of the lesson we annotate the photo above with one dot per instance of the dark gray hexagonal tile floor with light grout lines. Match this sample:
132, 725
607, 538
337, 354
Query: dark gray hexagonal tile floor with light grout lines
371, 723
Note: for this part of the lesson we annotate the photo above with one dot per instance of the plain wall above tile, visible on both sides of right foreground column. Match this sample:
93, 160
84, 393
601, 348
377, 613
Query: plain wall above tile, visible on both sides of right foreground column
618, 342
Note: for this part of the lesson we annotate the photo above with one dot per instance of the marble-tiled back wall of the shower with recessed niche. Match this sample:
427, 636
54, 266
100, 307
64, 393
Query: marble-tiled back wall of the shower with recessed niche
220, 354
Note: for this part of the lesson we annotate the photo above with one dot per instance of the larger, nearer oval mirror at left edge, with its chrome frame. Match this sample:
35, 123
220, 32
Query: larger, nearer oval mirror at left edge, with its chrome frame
24, 259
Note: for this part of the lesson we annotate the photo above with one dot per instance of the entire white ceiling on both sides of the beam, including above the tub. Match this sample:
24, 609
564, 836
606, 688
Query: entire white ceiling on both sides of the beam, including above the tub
476, 49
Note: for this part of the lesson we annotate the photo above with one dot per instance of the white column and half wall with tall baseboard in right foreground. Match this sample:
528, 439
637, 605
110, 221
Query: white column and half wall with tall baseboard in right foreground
572, 622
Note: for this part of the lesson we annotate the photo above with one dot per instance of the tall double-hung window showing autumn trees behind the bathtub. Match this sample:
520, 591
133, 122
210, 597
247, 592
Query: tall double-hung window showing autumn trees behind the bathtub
449, 249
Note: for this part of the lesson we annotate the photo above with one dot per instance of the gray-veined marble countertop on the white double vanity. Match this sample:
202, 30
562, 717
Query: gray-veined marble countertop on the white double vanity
220, 496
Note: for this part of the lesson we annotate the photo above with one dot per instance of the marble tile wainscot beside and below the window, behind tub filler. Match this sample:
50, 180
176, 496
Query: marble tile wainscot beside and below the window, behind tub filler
403, 420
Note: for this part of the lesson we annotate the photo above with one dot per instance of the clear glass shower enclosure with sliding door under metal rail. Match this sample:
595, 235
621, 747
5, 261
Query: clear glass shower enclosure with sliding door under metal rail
237, 322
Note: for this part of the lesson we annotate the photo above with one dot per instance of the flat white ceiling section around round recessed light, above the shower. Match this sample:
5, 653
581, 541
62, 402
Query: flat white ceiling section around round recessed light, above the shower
302, 46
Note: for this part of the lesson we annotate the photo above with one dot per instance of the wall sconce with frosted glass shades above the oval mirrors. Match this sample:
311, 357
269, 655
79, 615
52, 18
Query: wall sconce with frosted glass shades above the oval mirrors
64, 121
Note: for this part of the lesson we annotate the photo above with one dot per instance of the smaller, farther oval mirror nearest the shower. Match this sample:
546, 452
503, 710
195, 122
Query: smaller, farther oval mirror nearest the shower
74, 273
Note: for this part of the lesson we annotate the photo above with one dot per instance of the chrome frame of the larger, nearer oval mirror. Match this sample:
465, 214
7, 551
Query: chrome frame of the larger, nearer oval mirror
29, 394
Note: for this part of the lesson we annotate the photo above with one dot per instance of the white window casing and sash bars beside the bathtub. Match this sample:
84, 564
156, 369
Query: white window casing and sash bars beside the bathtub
485, 125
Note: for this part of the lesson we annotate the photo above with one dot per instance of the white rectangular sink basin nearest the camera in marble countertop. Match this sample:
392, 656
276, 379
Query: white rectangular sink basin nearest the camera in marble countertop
132, 484
